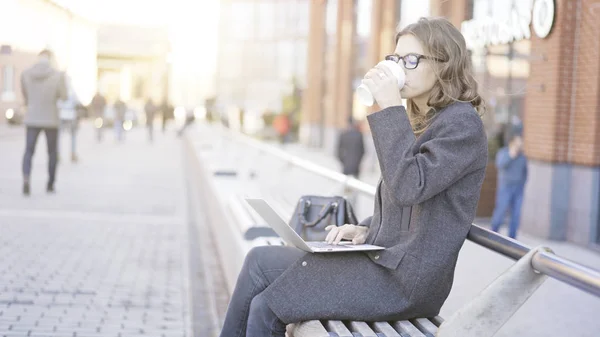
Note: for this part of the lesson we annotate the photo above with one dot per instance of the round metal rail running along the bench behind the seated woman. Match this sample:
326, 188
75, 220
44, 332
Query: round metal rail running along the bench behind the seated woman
569, 272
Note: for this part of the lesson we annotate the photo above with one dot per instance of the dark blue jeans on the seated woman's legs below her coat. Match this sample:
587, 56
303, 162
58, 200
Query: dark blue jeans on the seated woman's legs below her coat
248, 314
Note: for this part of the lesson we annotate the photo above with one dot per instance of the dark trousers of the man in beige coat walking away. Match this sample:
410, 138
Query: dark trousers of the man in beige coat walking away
32, 134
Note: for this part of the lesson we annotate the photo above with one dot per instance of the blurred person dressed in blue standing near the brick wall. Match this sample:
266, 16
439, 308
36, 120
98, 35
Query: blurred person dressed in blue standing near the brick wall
512, 176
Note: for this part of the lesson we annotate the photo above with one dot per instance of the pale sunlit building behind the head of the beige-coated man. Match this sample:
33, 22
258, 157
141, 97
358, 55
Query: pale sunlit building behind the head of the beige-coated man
27, 27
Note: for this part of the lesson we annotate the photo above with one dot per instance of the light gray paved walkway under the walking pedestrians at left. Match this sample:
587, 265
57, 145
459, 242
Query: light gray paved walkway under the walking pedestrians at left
109, 254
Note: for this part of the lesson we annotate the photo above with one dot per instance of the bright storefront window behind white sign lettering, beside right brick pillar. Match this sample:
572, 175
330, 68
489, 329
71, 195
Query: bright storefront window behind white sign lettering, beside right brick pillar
501, 62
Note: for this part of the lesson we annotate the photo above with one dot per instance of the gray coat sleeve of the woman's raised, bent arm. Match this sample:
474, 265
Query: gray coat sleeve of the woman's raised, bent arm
458, 146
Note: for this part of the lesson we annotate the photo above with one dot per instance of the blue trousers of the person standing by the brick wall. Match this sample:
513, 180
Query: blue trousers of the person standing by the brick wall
509, 197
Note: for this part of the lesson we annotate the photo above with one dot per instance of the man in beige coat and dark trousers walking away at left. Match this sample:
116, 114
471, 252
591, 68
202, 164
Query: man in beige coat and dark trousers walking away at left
42, 86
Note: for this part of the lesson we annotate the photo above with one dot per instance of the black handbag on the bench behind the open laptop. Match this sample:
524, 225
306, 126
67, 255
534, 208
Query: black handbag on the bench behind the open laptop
314, 213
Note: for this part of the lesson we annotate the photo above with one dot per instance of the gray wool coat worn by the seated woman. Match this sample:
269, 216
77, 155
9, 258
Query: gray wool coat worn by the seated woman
433, 183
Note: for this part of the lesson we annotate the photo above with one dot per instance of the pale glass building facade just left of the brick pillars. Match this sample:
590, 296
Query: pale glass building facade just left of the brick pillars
262, 55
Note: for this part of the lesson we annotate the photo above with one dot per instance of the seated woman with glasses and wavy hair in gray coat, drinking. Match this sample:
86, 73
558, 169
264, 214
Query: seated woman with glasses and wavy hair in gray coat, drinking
432, 156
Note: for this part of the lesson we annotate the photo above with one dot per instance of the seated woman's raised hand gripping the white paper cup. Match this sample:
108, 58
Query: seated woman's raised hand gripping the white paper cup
384, 86
